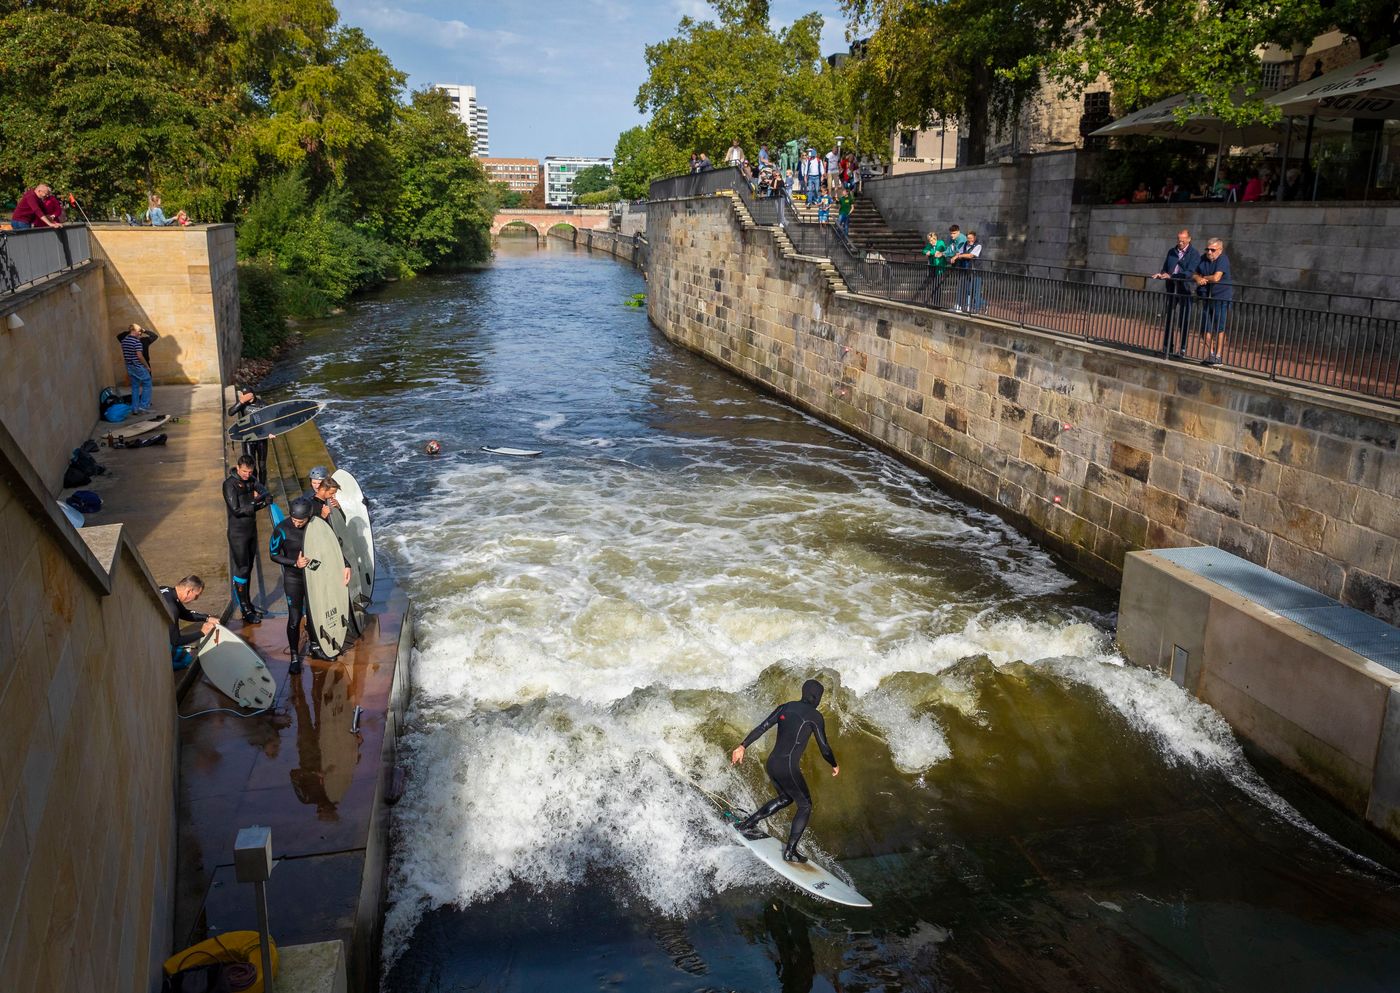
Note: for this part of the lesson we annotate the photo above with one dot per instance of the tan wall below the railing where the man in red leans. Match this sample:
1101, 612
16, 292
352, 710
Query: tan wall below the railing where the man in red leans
54, 368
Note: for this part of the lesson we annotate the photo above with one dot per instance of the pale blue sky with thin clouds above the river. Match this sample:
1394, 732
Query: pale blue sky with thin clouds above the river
558, 78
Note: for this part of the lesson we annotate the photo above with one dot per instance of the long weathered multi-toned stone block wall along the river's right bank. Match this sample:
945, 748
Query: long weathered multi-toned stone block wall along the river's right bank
1093, 450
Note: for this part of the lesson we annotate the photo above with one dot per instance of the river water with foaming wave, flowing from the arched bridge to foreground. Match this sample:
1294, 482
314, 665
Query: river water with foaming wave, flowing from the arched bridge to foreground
604, 623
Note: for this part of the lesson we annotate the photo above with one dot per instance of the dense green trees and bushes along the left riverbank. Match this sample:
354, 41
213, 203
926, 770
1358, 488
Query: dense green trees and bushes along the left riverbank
271, 116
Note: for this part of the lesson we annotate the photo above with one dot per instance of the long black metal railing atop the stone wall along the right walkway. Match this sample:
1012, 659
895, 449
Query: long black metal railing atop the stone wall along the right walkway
1350, 345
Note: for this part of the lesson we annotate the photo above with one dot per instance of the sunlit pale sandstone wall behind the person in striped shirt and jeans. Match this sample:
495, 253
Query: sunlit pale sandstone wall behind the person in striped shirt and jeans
184, 285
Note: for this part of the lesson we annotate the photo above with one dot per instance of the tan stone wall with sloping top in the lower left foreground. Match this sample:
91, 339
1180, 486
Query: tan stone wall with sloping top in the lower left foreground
87, 753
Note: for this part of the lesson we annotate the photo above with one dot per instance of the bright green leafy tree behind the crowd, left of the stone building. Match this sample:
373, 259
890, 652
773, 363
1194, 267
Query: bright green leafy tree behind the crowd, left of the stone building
734, 78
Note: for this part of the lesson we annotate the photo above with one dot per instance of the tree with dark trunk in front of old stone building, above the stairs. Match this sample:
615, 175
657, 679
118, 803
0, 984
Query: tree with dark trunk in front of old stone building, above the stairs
954, 60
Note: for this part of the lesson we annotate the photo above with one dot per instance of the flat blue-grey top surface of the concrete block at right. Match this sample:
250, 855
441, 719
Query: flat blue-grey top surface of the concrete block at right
1307, 609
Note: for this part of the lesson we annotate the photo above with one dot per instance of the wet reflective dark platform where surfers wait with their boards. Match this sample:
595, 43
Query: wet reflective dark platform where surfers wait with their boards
309, 770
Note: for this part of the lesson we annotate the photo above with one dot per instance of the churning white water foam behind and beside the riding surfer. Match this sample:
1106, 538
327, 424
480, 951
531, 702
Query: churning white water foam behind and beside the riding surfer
584, 627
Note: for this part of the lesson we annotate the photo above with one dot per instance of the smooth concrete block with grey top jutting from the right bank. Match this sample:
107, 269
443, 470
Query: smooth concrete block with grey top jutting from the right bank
1305, 680
